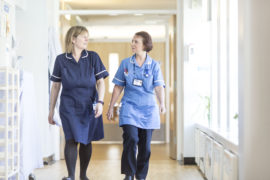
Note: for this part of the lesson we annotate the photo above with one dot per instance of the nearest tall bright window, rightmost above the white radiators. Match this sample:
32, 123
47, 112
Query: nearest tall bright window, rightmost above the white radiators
224, 65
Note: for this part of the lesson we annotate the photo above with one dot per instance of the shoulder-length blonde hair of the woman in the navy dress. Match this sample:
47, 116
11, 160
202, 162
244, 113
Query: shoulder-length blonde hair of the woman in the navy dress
73, 32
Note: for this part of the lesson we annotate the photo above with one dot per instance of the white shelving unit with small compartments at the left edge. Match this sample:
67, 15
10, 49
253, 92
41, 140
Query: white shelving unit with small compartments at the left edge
9, 124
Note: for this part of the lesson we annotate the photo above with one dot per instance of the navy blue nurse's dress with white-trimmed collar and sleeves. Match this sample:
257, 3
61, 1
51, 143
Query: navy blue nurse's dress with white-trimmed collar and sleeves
78, 95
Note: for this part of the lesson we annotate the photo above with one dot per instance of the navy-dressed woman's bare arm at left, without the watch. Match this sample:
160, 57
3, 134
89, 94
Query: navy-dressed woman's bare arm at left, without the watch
53, 98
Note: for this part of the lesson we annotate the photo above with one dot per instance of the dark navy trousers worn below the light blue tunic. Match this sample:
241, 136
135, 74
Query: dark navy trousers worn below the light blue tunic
136, 138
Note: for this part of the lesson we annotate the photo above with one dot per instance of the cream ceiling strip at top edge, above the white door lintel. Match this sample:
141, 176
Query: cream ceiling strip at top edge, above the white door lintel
120, 4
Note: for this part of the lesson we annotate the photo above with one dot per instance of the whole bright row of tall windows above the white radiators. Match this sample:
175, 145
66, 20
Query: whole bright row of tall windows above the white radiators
213, 99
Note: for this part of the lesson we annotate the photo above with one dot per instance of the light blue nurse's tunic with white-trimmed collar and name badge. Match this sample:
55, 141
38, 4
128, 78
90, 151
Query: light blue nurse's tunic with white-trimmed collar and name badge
139, 107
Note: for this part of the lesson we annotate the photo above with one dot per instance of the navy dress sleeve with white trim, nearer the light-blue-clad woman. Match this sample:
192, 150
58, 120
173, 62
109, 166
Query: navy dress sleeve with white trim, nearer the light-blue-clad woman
99, 69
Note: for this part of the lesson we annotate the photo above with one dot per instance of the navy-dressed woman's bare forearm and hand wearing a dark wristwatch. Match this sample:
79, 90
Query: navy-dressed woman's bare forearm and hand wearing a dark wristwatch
101, 91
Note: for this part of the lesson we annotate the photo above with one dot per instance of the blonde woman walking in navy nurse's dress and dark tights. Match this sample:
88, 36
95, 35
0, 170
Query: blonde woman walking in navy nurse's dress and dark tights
81, 74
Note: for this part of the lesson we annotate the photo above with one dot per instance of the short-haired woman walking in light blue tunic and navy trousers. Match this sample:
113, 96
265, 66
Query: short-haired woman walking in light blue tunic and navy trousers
142, 79
